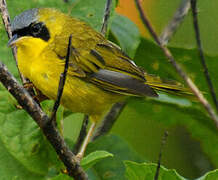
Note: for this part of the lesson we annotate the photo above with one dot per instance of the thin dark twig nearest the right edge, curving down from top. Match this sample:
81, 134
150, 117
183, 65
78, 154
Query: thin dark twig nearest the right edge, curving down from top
201, 54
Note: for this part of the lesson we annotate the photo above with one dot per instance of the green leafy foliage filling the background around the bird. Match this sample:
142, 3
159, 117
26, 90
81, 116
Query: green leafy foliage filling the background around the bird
25, 153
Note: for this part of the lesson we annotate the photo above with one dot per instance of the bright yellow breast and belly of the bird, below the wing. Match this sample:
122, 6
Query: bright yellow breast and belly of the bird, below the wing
78, 95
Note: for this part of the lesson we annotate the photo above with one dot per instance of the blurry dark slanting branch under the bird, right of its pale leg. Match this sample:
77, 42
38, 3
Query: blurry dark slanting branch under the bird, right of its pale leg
109, 120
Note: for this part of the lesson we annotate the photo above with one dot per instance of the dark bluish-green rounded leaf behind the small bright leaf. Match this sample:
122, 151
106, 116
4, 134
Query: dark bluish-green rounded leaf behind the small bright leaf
112, 168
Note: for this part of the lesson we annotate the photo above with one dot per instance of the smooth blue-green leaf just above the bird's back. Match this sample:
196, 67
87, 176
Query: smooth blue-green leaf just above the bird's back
126, 33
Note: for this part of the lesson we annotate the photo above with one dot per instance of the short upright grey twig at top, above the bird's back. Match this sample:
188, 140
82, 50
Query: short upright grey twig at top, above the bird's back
106, 17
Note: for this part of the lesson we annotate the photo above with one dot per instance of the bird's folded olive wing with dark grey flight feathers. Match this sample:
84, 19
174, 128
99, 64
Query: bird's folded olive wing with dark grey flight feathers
102, 63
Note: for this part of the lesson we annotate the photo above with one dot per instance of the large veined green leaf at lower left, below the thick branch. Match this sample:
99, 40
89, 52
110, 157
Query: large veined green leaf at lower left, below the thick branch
23, 142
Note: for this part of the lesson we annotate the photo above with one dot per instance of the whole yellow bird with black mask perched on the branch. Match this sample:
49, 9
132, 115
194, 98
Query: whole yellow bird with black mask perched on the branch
99, 73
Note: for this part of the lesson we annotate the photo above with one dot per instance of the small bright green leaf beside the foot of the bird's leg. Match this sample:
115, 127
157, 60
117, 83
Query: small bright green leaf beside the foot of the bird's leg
92, 158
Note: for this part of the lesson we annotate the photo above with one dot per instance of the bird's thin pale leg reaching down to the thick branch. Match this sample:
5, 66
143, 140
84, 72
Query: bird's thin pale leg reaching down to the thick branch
86, 141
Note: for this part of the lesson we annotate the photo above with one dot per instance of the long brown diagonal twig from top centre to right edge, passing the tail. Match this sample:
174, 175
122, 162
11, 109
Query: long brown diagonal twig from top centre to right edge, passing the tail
178, 68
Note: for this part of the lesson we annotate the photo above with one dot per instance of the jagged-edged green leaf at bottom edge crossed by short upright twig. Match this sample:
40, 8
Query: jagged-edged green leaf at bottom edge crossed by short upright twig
136, 171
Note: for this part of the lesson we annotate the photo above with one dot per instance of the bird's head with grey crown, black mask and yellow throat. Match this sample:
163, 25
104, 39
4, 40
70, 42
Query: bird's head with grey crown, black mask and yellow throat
36, 27
